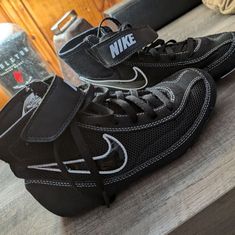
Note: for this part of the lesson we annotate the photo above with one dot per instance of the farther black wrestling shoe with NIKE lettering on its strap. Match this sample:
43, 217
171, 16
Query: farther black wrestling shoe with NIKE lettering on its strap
133, 58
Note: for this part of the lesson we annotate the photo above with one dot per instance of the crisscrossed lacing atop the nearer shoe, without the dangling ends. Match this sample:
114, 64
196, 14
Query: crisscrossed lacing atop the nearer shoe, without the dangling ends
129, 102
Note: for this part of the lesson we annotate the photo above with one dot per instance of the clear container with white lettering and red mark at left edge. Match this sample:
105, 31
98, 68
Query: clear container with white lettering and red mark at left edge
19, 62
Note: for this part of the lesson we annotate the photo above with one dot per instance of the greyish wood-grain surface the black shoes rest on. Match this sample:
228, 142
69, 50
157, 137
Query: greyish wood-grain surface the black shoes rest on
163, 201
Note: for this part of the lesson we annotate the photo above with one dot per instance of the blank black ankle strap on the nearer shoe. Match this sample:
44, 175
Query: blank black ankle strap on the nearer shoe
56, 111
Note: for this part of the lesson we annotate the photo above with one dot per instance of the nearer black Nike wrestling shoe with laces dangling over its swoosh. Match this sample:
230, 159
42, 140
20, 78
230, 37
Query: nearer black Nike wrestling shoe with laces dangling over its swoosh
77, 148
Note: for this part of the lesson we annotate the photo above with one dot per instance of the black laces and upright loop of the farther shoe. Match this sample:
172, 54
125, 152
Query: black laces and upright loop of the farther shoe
159, 46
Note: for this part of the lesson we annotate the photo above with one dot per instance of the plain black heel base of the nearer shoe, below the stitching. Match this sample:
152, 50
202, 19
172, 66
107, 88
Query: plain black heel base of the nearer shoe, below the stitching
65, 201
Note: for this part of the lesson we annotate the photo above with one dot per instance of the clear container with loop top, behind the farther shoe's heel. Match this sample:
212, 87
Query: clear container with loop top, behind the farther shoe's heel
64, 29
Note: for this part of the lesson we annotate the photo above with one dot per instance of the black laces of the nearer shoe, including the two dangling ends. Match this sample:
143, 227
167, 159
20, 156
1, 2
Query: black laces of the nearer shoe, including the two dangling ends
131, 103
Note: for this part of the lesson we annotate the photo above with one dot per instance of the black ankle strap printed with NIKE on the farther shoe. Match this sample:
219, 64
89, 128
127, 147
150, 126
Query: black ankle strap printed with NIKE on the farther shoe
121, 45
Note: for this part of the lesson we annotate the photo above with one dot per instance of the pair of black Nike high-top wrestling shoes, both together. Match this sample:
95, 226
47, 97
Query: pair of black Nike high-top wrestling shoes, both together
78, 147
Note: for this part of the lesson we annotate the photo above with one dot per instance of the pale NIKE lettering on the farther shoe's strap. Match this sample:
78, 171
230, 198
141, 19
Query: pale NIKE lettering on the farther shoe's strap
122, 44
